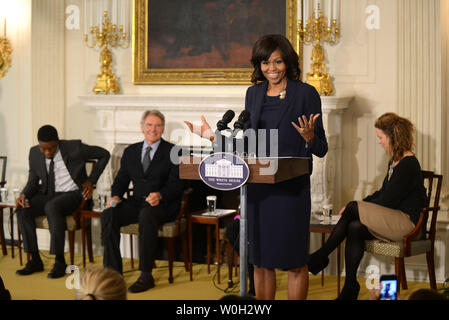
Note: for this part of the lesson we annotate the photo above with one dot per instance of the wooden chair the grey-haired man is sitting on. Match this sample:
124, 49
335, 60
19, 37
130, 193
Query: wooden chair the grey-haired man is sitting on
170, 231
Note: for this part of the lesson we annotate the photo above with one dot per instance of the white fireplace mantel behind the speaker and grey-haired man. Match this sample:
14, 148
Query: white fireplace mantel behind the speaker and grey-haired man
118, 118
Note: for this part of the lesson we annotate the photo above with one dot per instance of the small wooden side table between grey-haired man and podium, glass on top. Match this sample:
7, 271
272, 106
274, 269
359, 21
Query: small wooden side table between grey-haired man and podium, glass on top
201, 217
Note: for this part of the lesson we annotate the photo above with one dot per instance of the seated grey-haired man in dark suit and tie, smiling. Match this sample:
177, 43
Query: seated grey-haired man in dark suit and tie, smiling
156, 198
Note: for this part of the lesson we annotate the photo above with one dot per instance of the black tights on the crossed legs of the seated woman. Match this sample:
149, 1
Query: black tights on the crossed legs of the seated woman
349, 227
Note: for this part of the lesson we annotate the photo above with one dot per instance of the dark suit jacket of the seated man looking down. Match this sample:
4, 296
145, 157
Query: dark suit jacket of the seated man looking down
75, 154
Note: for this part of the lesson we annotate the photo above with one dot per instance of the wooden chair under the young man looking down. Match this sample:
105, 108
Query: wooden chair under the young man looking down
73, 223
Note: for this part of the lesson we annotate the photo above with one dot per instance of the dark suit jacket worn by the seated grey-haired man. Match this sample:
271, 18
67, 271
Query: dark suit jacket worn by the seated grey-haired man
161, 176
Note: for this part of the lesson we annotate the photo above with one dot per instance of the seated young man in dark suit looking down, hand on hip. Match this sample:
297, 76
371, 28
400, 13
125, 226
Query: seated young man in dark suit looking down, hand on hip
57, 182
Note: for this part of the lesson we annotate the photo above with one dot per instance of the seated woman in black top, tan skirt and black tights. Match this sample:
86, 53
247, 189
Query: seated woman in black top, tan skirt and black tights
387, 214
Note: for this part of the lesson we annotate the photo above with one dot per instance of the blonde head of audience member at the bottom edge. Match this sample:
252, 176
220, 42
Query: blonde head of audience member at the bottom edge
101, 284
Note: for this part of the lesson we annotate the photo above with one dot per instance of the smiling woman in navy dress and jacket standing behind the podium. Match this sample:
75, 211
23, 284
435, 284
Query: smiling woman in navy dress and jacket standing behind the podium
281, 106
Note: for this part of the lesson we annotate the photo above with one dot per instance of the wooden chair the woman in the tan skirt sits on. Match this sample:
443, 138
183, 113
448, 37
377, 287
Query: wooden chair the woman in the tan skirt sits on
420, 240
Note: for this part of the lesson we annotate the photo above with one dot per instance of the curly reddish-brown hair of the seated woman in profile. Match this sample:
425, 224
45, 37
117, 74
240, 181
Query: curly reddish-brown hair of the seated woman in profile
400, 131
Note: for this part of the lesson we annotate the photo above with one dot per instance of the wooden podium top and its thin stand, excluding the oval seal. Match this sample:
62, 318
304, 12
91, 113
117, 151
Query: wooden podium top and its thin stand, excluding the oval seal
262, 170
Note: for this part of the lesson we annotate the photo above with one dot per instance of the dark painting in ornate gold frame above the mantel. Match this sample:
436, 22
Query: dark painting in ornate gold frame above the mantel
204, 41
